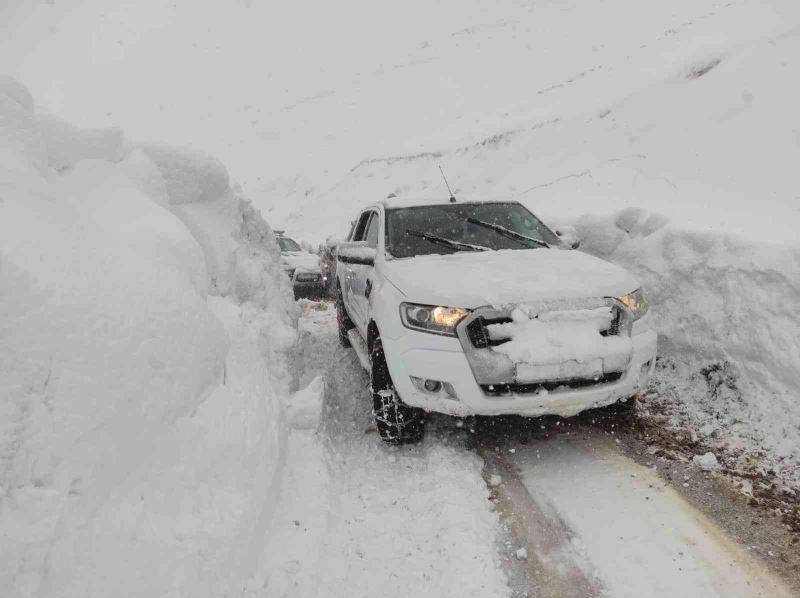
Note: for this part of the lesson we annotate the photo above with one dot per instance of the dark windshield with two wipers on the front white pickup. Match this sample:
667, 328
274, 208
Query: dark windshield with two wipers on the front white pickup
452, 222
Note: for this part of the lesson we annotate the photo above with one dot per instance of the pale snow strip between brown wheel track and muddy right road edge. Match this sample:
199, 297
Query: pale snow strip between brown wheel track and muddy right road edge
632, 533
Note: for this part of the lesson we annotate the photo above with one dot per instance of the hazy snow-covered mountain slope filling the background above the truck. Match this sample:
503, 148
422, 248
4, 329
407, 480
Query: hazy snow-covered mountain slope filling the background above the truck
684, 108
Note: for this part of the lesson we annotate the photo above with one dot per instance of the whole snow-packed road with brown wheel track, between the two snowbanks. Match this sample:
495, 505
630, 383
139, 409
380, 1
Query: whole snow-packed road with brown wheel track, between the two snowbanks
481, 508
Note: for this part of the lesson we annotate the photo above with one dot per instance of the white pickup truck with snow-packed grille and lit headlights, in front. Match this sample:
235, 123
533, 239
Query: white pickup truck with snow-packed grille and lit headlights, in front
478, 308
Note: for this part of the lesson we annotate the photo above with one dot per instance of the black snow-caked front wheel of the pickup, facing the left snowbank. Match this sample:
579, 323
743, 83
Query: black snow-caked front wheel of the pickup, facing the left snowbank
397, 423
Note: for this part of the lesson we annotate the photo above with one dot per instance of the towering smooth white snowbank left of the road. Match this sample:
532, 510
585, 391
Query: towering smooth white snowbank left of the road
145, 327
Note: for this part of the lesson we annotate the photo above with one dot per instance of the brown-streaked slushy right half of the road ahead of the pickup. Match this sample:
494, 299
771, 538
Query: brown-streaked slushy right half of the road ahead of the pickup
615, 520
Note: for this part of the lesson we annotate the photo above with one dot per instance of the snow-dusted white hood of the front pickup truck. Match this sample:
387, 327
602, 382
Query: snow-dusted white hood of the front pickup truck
498, 278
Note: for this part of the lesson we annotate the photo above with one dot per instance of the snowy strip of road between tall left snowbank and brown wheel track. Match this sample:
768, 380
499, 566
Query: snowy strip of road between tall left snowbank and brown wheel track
359, 518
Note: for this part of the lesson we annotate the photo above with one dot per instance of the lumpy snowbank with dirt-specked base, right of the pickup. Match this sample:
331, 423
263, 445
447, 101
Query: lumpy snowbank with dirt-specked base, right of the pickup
729, 335
